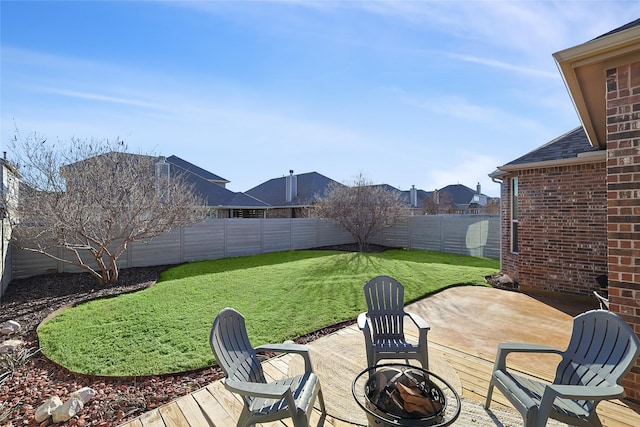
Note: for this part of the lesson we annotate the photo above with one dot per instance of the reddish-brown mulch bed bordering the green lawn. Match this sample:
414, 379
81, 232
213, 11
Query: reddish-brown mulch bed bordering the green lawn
30, 301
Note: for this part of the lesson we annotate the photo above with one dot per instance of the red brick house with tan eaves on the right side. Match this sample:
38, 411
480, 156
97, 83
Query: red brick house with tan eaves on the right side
571, 214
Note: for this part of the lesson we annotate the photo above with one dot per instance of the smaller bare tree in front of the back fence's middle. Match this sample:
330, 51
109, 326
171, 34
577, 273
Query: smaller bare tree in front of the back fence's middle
363, 209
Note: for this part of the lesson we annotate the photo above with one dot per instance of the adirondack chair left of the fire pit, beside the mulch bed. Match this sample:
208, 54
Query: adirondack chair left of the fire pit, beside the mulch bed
263, 402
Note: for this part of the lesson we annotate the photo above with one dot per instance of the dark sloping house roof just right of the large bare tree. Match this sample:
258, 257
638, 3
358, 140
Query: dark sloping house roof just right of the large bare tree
207, 185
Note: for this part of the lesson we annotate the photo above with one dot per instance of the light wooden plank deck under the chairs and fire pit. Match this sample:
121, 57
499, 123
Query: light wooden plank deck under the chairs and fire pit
213, 405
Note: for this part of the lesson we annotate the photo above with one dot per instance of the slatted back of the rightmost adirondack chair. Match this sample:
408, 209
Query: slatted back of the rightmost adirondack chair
602, 349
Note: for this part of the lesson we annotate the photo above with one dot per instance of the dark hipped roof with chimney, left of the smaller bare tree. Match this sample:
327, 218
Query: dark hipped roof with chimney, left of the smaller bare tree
310, 186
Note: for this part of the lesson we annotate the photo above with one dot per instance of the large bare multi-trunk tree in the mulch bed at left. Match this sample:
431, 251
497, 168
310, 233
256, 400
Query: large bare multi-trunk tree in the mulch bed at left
82, 202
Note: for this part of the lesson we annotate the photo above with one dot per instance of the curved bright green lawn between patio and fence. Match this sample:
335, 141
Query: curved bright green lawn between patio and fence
165, 328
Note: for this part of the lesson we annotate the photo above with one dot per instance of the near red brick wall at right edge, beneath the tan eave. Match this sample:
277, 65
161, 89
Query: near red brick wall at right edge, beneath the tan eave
623, 185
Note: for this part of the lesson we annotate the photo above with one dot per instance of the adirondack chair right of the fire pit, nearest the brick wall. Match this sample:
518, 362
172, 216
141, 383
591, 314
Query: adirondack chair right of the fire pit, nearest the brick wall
602, 349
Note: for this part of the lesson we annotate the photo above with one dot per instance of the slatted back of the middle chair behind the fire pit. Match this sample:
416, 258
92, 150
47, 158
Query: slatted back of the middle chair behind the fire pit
385, 307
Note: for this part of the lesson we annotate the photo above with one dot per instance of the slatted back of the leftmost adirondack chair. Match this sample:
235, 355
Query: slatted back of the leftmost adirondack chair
233, 351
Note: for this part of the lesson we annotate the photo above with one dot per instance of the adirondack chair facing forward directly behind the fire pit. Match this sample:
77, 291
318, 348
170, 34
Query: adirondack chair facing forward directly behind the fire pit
383, 324
